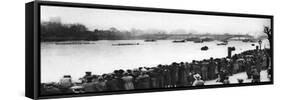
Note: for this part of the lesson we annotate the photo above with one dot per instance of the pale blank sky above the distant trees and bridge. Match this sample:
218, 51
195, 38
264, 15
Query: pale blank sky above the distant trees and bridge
169, 22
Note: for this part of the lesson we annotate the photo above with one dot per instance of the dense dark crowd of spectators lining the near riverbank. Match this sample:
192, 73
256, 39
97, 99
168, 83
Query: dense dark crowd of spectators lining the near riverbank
181, 74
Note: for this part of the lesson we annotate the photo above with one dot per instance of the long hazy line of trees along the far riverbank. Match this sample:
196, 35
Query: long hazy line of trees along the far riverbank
57, 31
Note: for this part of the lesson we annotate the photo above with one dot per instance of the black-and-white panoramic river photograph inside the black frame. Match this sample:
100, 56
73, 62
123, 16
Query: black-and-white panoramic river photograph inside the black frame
92, 50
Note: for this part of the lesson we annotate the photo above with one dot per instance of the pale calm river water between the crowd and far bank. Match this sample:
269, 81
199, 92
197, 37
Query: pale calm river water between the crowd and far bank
102, 57
